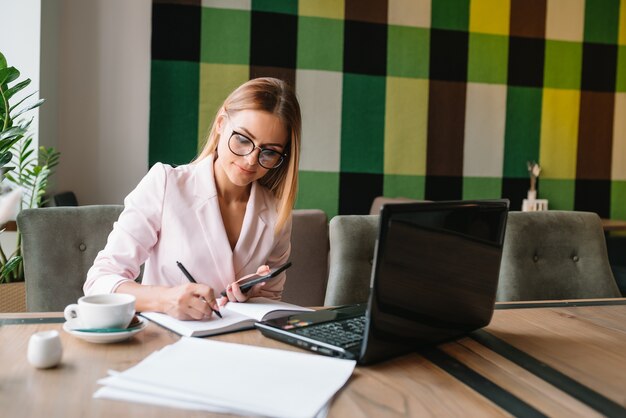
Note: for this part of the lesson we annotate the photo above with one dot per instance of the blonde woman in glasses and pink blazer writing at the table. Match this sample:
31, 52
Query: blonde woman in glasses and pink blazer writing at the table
222, 216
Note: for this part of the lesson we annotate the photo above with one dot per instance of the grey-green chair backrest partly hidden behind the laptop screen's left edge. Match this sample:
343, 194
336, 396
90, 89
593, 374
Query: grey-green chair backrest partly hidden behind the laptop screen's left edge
352, 241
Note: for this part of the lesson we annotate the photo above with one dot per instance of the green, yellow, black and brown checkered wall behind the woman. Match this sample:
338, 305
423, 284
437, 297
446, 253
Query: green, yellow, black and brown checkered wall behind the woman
444, 99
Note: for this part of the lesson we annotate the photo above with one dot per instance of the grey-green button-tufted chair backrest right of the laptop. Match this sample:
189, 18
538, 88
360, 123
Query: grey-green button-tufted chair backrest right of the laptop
555, 255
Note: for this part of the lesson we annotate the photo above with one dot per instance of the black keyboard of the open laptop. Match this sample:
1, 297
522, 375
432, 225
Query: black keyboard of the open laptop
347, 333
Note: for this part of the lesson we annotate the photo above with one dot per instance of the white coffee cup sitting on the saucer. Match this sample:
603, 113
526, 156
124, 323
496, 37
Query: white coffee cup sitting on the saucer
113, 310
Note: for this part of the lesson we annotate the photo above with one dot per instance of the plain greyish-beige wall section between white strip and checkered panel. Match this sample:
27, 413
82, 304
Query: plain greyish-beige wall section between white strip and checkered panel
103, 96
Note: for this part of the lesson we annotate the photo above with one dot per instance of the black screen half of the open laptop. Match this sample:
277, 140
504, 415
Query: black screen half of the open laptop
435, 274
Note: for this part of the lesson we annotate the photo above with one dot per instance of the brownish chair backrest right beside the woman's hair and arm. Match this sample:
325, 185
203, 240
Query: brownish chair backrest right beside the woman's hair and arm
306, 279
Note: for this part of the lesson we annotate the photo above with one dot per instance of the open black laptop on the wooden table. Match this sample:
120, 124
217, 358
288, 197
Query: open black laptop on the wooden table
434, 279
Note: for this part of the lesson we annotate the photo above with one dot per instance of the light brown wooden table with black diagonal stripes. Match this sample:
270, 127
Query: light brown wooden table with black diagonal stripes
565, 359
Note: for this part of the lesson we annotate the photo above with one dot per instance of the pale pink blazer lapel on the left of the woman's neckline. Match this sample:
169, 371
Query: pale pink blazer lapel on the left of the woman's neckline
210, 220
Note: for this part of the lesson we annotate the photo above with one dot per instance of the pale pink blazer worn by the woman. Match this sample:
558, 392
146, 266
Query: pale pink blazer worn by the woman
174, 215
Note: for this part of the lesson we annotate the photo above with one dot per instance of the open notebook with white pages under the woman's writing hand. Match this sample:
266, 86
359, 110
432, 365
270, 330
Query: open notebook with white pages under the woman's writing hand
236, 317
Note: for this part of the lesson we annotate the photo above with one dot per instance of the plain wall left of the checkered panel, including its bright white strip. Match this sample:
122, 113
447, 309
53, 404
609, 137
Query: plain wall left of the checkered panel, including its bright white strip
94, 61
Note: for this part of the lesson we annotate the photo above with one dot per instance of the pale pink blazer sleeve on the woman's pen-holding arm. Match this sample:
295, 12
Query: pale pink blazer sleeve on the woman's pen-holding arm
133, 236
